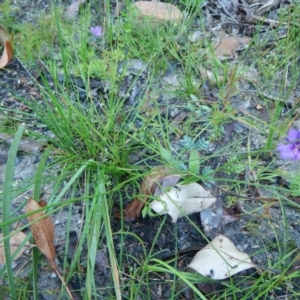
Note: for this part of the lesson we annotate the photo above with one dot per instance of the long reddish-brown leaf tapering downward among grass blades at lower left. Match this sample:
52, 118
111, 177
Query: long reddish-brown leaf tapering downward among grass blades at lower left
42, 231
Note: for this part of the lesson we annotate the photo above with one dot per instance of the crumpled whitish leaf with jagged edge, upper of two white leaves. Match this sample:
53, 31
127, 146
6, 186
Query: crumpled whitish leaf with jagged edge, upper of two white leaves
183, 199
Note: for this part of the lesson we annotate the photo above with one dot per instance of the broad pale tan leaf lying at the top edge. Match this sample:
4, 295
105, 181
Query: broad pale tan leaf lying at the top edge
159, 10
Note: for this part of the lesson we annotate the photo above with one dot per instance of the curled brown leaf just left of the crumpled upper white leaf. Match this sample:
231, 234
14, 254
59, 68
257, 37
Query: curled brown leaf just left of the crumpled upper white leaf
133, 209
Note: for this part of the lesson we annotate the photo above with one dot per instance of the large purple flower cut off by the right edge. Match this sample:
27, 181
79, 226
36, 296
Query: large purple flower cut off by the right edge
291, 148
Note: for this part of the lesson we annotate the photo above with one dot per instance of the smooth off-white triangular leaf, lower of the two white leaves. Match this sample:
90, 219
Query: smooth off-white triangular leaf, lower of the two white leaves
220, 259
